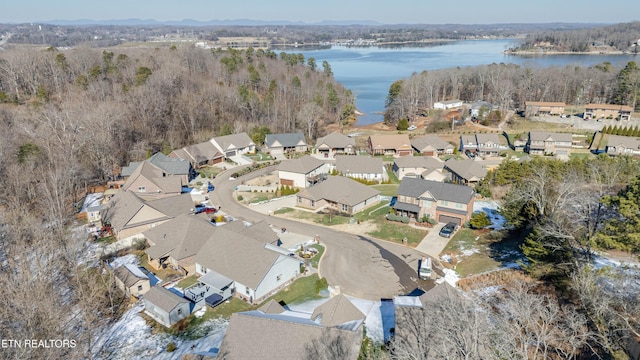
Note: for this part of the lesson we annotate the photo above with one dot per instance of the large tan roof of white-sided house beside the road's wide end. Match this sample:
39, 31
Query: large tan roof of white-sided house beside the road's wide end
237, 257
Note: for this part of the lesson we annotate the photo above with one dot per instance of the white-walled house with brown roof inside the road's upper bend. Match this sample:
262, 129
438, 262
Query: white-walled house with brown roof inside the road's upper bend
302, 172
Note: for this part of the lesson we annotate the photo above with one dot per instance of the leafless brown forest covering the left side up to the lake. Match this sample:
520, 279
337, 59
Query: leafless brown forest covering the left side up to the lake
68, 118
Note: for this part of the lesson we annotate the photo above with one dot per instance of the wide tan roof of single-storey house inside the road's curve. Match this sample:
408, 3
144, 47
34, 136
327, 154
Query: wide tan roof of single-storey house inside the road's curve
341, 190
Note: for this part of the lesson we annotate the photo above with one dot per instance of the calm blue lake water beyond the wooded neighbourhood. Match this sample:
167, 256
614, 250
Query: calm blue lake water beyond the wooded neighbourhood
369, 71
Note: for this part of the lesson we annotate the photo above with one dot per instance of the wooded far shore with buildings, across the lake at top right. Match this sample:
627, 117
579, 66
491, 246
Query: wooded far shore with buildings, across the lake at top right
614, 38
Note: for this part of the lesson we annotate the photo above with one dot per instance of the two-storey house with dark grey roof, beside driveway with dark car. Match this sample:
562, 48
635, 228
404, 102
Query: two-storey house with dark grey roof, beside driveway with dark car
443, 202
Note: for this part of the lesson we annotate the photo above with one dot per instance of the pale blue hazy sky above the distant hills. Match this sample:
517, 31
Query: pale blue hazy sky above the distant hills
383, 11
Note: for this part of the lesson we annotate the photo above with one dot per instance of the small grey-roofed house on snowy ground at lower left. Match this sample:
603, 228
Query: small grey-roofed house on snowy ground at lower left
164, 306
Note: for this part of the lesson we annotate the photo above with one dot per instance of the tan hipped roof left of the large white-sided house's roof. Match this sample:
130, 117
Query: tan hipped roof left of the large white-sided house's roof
180, 237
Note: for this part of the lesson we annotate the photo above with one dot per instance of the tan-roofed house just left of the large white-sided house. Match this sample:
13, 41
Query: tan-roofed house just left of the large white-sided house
176, 242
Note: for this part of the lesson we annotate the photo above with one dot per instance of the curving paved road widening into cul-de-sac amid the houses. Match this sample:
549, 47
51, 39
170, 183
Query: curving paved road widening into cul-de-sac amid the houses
361, 266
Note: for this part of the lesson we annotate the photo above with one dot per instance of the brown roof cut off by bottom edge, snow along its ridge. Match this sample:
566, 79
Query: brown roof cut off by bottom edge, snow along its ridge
278, 336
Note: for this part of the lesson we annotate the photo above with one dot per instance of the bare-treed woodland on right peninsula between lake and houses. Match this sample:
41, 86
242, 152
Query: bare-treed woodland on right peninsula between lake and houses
509, 86
